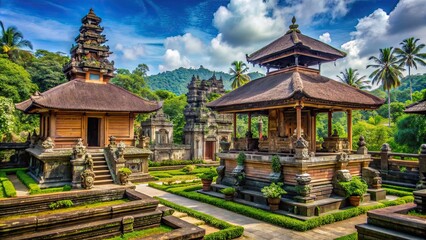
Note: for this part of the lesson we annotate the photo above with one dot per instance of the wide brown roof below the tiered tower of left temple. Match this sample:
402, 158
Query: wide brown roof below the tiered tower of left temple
78, 95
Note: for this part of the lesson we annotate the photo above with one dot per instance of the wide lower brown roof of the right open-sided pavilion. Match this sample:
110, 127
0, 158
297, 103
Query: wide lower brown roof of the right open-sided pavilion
281, 88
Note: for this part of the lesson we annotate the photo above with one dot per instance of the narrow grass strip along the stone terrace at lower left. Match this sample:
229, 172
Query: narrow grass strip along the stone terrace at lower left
62, 210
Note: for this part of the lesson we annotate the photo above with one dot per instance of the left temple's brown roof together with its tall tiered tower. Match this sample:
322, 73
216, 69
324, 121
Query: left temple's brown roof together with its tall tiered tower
82, 92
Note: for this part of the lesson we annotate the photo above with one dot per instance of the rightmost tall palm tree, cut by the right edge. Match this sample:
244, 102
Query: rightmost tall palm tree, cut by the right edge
410, 56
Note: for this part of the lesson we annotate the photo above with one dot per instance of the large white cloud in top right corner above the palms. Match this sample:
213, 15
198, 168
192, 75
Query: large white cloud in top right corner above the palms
380, 30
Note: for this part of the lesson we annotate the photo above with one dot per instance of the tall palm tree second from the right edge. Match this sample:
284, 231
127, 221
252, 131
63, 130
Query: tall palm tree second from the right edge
388, 71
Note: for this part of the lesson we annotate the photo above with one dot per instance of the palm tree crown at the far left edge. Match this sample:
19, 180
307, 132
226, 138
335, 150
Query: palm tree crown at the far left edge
12, 41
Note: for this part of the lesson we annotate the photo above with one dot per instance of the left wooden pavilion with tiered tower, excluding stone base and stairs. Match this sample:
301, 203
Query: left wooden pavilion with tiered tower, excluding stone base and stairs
87, 106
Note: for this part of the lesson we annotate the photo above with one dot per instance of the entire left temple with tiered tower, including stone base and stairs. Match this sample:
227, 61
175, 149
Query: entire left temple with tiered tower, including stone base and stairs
86, 112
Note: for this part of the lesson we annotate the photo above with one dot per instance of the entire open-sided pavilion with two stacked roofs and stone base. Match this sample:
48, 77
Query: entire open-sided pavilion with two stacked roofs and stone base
291, 95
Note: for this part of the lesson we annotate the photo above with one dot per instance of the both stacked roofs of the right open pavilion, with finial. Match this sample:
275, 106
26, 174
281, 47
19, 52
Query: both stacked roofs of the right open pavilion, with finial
293, 80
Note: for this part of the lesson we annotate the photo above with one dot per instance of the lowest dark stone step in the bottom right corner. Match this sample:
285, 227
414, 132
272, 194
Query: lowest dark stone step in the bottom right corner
368, 231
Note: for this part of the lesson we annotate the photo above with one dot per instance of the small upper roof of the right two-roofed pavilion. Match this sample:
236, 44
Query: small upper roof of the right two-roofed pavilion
293, 40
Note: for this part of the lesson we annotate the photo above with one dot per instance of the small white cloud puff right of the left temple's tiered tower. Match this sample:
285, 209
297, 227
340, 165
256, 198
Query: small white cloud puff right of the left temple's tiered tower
186, 44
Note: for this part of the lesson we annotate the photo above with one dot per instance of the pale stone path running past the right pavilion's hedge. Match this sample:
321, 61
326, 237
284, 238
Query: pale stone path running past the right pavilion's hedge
255, 229
